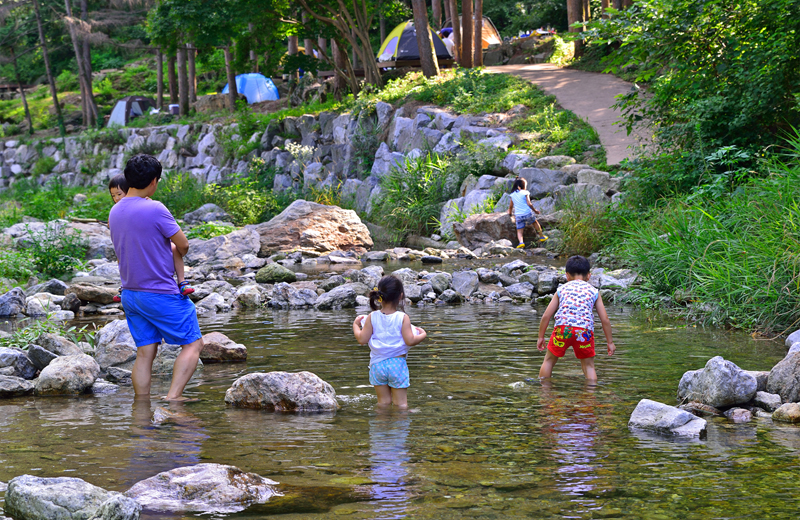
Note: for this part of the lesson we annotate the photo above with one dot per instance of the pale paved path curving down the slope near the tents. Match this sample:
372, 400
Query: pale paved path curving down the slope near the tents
590, 95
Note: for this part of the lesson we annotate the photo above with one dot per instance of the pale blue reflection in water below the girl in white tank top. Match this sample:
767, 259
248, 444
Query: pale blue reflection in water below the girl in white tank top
388, 435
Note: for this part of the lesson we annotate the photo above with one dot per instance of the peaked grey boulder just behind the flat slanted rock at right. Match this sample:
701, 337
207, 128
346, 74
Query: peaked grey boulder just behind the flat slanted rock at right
720, 384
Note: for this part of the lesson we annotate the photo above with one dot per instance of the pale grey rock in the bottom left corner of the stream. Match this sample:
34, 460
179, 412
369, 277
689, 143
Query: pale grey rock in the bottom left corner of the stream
64, 498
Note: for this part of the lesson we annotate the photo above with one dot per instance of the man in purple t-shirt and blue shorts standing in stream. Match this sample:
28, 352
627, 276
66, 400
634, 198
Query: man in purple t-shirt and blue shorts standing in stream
142, 230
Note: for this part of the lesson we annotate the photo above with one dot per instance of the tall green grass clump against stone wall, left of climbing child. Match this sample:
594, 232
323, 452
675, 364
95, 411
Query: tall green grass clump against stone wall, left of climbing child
412, 196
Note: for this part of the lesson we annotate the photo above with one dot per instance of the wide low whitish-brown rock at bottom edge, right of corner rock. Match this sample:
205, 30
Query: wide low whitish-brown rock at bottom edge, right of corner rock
203, 488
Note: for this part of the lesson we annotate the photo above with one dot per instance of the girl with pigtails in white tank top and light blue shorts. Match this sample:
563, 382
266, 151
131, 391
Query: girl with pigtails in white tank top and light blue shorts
389, 333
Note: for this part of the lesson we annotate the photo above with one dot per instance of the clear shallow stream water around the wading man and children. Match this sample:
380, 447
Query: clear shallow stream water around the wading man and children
471, 447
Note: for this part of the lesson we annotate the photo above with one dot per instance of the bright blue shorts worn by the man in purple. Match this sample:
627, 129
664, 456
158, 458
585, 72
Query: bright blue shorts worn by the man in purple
153, 317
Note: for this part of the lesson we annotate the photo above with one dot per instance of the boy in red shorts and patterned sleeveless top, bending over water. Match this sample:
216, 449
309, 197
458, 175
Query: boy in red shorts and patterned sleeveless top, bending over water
573, 306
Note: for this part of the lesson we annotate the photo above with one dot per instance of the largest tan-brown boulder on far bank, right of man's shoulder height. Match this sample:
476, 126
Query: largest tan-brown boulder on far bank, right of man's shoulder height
314, 226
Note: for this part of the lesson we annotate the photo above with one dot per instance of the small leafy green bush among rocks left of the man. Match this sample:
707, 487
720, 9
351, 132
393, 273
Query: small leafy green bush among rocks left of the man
54, 251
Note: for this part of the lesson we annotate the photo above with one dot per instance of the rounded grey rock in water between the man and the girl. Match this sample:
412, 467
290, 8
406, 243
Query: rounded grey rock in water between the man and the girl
282, 392
